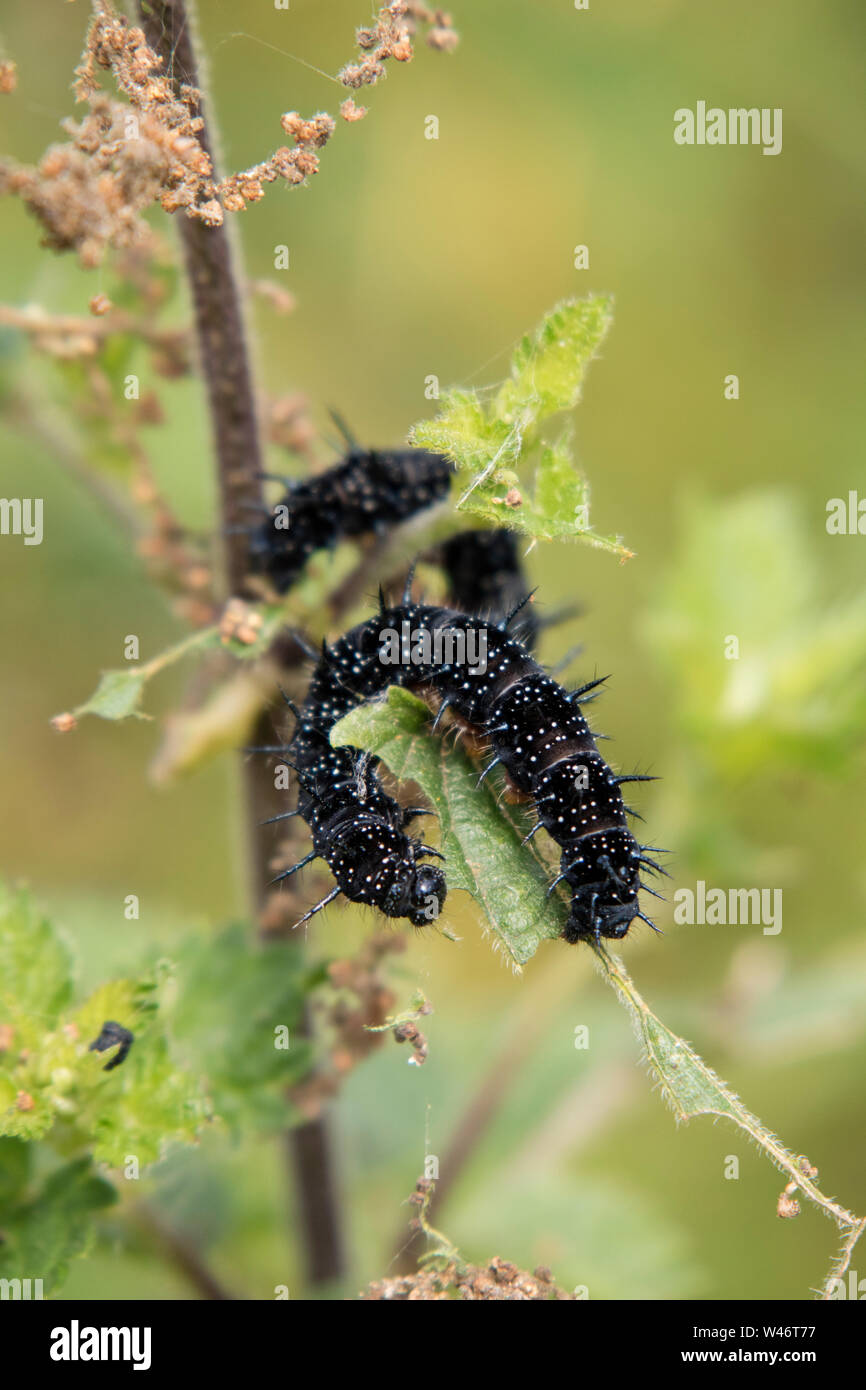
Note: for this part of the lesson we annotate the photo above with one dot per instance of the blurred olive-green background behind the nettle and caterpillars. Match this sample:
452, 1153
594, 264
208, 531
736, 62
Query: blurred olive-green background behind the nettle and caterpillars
414, 258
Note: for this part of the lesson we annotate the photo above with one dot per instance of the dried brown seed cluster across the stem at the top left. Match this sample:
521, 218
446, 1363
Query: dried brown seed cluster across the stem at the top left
124, 156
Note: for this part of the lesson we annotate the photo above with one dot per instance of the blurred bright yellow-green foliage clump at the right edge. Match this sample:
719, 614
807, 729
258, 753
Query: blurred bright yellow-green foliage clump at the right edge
767, 672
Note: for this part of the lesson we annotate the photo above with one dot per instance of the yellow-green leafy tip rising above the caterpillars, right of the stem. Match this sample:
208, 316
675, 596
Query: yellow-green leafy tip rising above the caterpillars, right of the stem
493, 441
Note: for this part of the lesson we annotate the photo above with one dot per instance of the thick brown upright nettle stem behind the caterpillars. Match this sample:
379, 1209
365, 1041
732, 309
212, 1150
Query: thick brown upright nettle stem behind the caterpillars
212, 270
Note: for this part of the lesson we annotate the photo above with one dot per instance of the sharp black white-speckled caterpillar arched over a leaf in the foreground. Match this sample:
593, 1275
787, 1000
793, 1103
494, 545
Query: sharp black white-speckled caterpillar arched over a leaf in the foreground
537, 733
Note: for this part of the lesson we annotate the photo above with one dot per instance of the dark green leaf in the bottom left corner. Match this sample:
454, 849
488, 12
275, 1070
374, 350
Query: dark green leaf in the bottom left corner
54, 1225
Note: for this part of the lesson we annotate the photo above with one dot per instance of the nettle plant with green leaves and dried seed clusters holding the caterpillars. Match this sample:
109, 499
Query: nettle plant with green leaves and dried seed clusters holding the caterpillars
222, 1031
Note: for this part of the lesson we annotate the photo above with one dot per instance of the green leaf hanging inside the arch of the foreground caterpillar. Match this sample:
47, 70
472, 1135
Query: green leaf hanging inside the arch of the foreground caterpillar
480, 840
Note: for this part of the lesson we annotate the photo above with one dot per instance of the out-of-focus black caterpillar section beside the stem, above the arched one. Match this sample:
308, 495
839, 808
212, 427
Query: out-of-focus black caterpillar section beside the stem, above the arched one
368, 491
